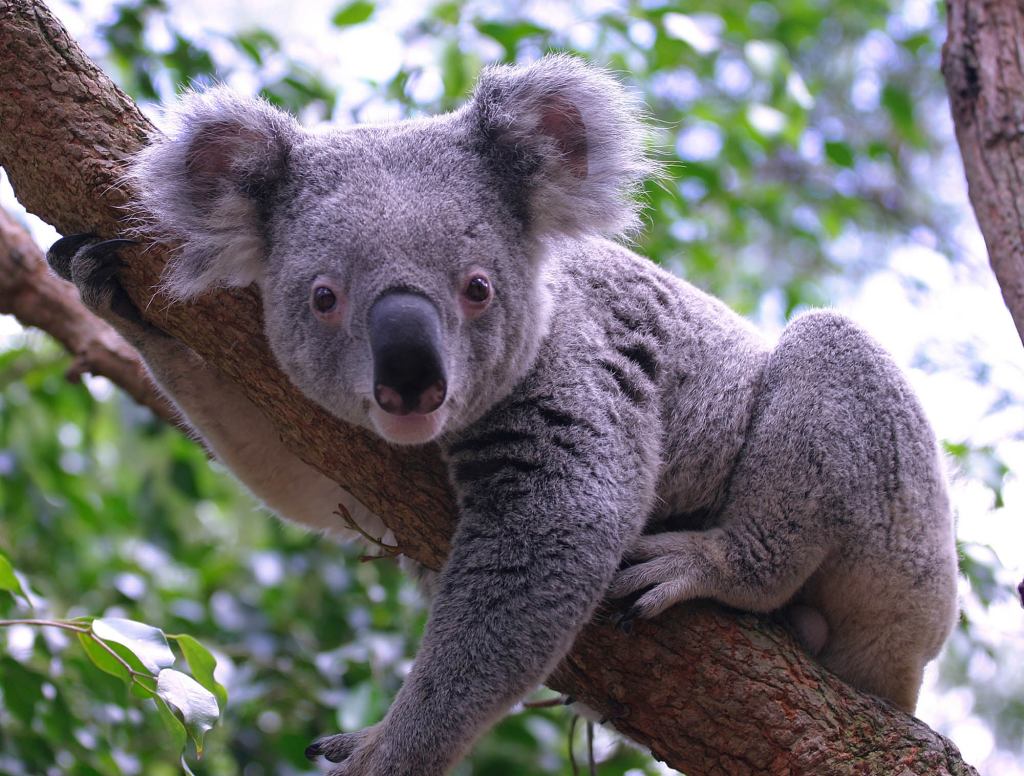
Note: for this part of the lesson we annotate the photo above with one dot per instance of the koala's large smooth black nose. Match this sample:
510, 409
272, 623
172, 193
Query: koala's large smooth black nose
406, 342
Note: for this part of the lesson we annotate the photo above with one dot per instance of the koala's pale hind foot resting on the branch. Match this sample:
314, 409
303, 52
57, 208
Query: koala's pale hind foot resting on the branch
669, 565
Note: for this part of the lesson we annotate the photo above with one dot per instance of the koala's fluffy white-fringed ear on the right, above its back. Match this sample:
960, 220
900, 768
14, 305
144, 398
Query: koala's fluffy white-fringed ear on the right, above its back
569, 141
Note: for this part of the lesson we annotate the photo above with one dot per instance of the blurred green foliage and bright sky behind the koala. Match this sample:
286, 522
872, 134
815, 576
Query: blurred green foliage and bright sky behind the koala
808, 154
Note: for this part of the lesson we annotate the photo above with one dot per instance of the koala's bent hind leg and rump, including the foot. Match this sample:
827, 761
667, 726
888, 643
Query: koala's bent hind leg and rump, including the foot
837, 502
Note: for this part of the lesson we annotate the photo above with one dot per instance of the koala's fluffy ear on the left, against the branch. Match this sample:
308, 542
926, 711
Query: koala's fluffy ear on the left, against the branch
209, 183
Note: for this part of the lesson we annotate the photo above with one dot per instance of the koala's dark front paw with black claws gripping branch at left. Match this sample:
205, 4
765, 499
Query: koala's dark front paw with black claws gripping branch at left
93, 265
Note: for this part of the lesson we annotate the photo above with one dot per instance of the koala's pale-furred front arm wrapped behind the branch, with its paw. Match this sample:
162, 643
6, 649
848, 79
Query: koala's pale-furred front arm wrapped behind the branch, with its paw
216, 409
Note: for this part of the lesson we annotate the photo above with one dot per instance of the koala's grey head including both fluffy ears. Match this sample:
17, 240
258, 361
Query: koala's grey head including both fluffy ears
400, 266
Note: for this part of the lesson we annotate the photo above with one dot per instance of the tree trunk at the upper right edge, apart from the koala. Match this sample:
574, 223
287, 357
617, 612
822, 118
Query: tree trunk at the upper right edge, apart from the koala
984, 65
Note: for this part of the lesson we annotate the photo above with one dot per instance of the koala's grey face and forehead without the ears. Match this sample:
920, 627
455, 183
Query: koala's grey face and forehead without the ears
400, 290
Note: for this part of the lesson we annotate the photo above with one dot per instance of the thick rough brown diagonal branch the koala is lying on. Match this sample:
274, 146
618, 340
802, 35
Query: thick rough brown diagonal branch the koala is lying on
709, 692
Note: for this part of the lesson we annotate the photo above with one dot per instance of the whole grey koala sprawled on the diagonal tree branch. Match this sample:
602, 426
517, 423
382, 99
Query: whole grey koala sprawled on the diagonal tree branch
610, 429
